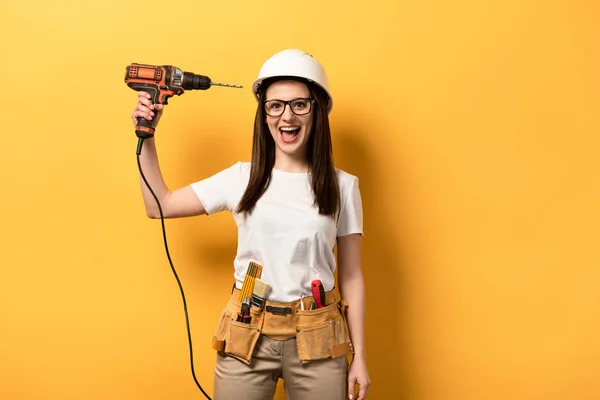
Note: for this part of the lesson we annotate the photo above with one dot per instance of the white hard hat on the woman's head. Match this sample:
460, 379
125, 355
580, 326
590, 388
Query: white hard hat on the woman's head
296, 63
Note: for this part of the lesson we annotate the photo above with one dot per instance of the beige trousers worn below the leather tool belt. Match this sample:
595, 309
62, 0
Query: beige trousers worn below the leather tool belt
274, 359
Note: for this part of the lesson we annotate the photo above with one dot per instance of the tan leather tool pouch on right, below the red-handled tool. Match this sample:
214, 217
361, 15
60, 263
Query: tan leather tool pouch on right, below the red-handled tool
323, 334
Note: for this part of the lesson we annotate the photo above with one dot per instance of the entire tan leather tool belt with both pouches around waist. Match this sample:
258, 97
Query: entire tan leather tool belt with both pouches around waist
321, 333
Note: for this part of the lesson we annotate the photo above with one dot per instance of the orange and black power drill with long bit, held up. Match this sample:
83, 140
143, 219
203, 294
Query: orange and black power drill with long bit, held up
162, 82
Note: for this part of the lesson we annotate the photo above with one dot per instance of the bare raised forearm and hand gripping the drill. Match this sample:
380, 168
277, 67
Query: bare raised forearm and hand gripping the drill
174, 204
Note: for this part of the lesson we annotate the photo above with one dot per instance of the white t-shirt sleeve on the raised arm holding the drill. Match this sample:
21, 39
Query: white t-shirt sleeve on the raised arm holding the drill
219, 192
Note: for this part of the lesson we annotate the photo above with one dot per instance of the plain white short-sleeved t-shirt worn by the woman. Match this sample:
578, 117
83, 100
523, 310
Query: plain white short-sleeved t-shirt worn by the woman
285, 233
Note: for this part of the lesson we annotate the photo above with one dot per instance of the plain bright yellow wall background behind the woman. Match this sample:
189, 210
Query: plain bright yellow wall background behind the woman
472, 125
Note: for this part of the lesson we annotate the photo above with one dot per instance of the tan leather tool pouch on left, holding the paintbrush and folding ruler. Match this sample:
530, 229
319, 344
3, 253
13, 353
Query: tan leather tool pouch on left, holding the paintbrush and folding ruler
237, 339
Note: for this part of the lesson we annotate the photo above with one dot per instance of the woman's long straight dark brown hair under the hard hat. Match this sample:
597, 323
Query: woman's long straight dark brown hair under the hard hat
319, 152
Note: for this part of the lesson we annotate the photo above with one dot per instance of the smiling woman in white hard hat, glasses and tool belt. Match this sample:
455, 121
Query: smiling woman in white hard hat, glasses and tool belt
291, 206
